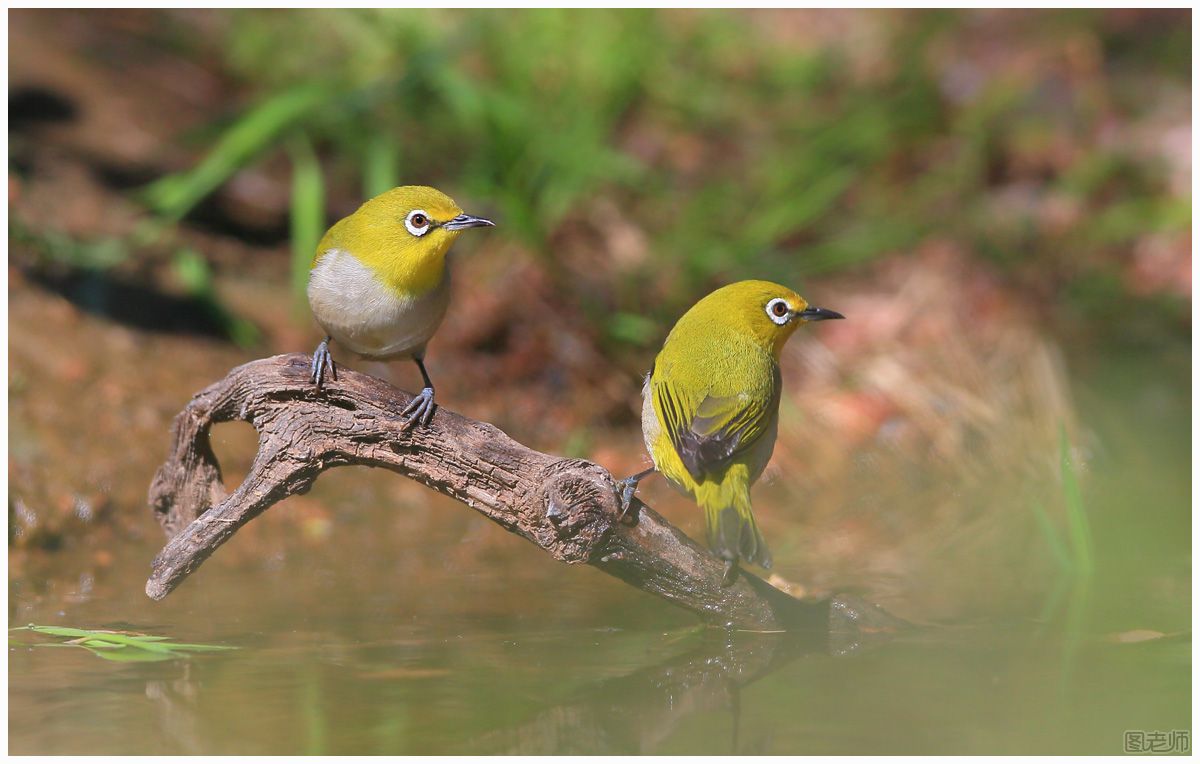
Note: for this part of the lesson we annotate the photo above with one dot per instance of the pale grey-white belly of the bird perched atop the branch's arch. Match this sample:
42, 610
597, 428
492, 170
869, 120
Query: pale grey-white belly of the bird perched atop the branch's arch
365, 316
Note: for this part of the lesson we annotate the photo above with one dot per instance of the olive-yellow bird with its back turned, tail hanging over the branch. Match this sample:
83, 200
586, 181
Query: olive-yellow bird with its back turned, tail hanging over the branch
711, 408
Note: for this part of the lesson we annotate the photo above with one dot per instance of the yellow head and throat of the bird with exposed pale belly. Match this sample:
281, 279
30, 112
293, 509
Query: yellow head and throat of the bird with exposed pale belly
403, 236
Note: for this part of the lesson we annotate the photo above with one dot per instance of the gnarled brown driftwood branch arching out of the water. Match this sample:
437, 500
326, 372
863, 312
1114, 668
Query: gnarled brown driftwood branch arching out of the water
568, 508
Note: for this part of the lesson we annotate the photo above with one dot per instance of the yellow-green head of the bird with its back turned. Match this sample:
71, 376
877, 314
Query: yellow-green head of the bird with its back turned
766, 312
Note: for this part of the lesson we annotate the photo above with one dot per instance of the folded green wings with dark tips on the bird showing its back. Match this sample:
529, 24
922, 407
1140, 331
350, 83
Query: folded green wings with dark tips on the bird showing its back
710, 435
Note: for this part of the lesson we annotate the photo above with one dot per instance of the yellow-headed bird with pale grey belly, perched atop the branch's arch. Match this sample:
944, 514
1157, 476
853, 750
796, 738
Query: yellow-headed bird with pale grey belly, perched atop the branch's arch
380, 282
